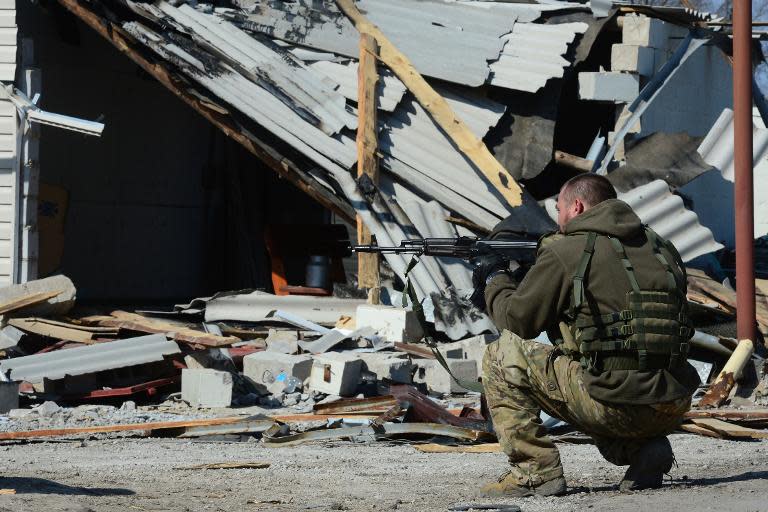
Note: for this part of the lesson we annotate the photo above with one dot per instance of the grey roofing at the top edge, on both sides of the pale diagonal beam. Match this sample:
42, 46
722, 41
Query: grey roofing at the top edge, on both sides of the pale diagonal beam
444, 40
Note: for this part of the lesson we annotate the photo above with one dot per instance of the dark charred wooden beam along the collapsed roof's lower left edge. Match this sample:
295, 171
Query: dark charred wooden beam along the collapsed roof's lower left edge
210, 110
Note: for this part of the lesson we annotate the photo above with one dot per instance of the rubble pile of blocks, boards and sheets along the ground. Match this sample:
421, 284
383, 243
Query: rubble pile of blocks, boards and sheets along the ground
304, 369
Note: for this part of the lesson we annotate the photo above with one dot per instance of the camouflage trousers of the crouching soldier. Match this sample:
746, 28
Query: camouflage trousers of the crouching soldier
522, 377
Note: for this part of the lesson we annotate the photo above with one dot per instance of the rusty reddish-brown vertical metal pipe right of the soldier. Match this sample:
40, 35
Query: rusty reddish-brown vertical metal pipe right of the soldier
743, 187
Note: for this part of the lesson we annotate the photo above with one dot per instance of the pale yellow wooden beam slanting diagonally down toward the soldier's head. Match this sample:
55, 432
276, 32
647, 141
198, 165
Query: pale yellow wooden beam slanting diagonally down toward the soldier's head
467, 142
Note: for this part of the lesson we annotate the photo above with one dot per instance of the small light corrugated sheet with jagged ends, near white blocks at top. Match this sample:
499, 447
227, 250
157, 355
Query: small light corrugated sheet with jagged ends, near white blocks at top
533, 54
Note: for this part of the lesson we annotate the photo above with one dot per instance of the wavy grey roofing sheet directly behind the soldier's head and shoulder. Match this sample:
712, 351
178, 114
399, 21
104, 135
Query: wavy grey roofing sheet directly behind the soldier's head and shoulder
665, 213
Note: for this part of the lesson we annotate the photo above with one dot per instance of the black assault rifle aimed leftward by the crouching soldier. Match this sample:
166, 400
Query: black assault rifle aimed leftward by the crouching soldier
464, 247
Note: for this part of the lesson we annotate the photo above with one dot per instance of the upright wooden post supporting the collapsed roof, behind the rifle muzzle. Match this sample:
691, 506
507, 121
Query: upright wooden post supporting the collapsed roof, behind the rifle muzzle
367, 161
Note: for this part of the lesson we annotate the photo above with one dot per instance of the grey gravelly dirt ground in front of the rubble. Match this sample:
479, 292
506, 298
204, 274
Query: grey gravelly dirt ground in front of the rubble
126, 474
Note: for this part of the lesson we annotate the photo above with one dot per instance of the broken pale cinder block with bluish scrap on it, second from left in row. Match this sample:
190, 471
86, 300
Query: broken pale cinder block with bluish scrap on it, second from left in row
270, 370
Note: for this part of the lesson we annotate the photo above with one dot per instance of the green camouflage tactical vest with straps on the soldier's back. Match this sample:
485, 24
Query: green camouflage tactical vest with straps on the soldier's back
653, 329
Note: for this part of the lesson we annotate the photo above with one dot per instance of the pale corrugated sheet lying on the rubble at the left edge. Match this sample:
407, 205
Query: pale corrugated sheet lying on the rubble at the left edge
91, 359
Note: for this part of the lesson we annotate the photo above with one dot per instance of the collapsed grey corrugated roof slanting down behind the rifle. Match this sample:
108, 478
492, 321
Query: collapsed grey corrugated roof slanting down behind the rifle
281, 78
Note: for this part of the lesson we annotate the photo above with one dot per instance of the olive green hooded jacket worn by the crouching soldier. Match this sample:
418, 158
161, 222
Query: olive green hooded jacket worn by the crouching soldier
544, 296
